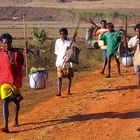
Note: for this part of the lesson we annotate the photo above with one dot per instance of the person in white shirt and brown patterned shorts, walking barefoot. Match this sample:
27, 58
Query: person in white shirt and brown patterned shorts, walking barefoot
64, 69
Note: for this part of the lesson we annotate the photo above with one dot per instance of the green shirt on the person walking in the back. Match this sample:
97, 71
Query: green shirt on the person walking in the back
112, 40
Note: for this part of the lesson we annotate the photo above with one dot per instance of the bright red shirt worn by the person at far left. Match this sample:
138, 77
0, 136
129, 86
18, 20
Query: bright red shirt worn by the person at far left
11, 72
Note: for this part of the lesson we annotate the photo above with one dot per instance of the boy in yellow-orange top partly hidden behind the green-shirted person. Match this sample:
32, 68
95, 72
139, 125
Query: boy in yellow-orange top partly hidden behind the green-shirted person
99, 32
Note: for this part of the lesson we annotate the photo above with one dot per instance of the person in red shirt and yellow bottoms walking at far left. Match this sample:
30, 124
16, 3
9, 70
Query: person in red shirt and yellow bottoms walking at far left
11, 62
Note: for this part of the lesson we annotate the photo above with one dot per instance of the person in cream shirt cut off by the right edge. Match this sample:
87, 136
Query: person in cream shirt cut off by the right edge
134, 43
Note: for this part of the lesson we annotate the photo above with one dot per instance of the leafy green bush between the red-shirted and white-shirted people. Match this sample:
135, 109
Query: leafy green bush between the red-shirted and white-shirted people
41, 52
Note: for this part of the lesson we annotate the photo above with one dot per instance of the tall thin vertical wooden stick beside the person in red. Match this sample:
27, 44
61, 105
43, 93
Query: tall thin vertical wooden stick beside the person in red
25, 40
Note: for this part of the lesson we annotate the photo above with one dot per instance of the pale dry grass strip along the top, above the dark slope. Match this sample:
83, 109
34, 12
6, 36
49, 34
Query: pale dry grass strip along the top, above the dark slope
103, 4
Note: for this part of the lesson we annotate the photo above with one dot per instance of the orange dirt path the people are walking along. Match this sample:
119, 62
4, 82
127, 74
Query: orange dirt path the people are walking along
99, 109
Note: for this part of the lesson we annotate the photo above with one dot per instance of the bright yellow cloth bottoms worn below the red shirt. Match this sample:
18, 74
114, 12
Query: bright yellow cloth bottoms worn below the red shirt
8, 90
